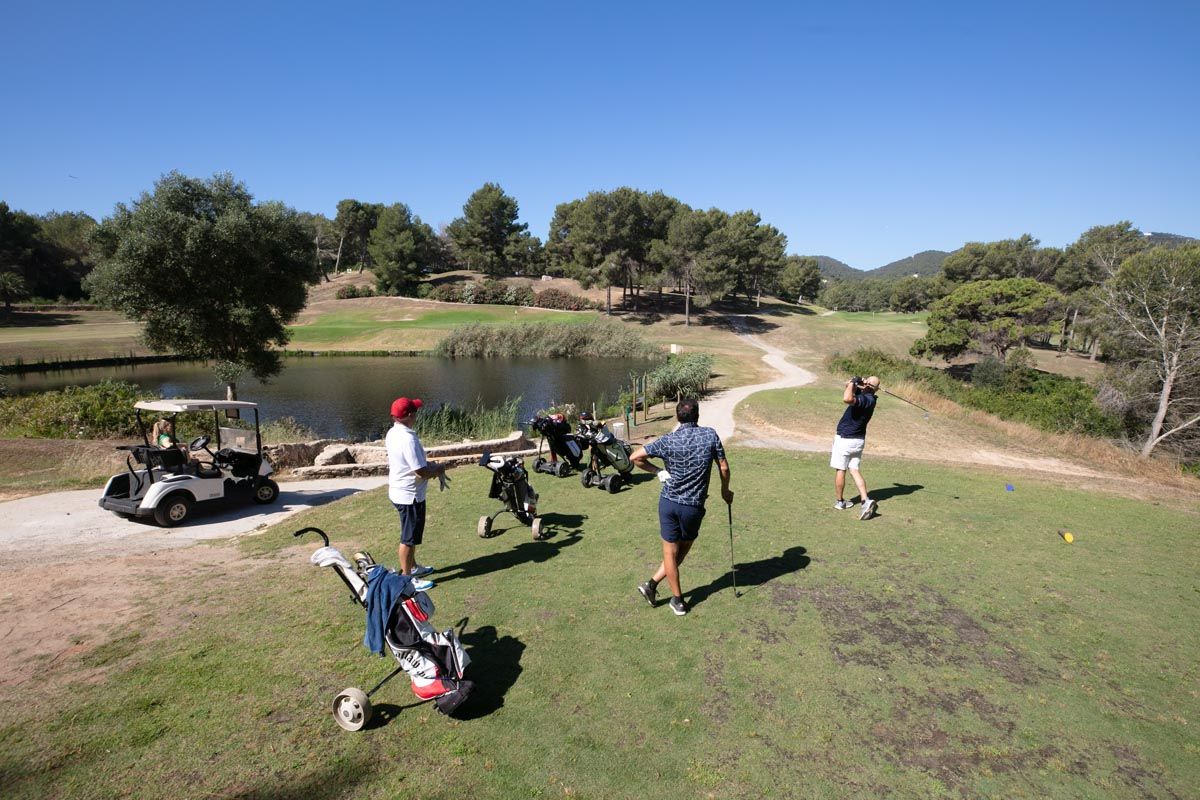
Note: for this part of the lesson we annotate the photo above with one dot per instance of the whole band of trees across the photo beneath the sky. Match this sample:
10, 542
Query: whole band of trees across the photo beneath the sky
218, 276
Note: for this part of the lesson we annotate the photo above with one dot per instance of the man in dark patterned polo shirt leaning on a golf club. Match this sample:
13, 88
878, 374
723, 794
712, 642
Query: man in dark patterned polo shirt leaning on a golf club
689, 453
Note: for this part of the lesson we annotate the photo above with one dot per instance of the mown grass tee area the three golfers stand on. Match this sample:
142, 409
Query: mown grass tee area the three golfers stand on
953, 647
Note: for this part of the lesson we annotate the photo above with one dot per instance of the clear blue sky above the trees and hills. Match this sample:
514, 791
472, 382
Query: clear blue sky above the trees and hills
863, 131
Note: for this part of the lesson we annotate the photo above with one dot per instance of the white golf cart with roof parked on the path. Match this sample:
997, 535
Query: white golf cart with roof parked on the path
167, 484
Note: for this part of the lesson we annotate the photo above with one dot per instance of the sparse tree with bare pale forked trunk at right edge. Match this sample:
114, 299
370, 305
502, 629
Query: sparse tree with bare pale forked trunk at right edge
1153, 315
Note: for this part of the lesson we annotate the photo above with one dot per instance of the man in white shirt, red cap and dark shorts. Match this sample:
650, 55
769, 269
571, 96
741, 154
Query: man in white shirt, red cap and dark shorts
409, 476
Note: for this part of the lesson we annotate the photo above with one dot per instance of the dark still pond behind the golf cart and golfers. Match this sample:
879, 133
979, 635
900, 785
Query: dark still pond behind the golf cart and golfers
351, 396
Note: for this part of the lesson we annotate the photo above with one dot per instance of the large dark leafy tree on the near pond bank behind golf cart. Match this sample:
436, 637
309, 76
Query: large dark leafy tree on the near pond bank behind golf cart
209, 273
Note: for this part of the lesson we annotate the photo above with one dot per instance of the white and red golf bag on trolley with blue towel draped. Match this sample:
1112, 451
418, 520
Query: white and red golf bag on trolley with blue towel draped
400, 617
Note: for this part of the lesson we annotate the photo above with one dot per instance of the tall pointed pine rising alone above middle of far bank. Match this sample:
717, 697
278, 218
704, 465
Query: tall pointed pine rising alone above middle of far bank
489, 238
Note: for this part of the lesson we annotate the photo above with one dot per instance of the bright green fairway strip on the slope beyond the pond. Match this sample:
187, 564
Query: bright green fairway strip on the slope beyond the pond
367, 326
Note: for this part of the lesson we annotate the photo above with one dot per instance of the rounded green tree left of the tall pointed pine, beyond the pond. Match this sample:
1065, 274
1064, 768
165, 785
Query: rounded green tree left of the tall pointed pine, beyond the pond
404, 250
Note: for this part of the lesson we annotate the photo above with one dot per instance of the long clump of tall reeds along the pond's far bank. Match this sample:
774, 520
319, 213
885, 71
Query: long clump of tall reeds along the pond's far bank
602, 338
